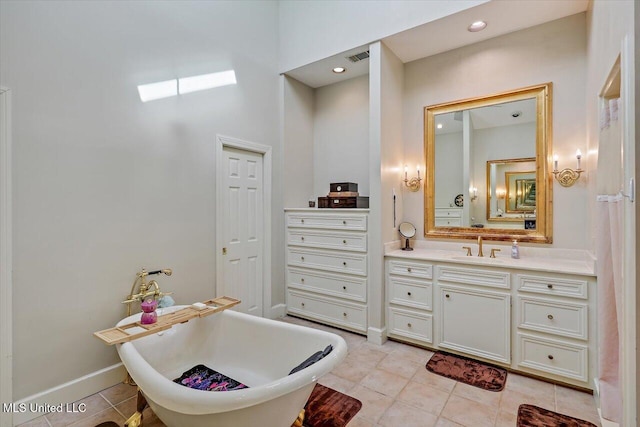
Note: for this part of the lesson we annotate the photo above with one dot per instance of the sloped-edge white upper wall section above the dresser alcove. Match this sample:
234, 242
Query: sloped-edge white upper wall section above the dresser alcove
311, 31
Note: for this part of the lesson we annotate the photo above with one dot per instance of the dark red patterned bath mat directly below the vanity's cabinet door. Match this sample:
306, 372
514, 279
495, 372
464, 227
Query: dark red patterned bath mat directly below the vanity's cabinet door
468, 371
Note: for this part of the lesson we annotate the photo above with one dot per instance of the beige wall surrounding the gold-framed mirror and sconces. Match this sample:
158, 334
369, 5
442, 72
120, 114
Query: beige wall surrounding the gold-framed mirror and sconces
553, 52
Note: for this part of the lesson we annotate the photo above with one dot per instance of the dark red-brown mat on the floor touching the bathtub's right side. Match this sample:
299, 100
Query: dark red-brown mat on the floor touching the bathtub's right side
327, 407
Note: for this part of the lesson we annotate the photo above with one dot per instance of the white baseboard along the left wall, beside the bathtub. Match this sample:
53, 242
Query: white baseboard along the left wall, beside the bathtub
68, 392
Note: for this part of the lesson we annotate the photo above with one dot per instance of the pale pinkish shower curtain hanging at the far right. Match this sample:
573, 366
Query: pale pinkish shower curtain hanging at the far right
609, 253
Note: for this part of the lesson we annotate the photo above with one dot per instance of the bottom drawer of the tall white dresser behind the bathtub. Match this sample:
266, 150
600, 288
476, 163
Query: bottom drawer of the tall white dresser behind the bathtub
341, 313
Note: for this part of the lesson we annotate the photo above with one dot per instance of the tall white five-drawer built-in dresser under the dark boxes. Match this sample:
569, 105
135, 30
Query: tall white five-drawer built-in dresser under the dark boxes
327, 266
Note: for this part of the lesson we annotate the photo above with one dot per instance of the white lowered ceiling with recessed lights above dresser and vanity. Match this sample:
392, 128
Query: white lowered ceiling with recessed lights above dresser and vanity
445, 34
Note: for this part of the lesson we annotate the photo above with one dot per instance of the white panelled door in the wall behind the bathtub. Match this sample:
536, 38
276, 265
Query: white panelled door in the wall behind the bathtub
243, 228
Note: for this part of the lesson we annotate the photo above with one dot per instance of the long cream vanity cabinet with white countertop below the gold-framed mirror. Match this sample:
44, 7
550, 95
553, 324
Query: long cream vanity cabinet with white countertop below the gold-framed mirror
536, 315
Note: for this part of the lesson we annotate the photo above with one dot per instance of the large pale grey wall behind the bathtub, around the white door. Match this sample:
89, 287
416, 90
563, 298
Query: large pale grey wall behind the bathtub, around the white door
105, 184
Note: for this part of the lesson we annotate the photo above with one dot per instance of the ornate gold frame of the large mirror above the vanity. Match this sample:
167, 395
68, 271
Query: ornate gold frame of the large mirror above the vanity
544, 182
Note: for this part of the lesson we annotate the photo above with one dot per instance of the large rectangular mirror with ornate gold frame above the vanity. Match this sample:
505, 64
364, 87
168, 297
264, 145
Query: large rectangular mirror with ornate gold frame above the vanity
488, 167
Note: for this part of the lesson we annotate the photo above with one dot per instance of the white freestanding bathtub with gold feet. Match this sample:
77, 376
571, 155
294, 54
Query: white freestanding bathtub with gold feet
255, 351
